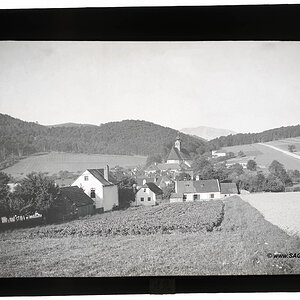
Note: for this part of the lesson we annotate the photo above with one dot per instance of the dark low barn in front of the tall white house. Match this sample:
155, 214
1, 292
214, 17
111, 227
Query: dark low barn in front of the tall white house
73, 203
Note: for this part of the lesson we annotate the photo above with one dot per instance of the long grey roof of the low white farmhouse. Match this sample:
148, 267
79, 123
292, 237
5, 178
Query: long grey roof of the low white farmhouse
198, 186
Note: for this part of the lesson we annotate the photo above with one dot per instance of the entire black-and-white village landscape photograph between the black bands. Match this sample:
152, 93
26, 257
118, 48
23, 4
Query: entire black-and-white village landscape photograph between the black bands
123, 159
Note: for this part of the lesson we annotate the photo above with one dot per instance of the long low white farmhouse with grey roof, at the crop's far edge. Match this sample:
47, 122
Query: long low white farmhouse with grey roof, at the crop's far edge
194, 190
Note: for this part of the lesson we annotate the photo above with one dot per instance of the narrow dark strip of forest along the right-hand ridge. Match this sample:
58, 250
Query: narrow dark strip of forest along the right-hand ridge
251, 138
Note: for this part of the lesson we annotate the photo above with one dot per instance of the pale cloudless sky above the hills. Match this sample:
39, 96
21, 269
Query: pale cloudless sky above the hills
241, 86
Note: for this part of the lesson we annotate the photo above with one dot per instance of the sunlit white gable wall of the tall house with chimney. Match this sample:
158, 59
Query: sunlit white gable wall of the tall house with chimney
92, 183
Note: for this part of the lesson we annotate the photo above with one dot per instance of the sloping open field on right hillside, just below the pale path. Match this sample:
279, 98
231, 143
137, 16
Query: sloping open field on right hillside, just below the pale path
265, 155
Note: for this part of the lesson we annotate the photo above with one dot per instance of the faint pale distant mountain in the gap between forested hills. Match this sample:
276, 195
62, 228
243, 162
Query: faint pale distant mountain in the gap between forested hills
207, 133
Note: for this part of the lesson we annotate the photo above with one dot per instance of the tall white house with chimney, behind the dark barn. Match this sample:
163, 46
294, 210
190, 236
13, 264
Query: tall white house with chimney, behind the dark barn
96, 185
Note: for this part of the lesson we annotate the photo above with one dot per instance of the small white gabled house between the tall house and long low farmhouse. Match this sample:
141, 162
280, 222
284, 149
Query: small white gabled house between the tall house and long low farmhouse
148, 195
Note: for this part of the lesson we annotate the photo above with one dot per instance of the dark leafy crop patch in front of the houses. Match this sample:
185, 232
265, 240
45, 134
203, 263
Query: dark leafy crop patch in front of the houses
167, 218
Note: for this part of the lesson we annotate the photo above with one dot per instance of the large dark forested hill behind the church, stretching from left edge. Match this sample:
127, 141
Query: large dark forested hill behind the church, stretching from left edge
126, 137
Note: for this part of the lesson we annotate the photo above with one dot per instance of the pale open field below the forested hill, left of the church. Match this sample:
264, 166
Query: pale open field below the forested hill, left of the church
72, 162
